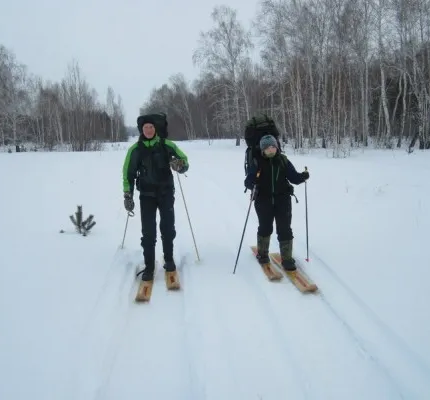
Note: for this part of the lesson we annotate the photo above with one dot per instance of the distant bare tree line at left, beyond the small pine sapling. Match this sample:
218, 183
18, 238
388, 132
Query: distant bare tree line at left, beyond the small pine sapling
46, 114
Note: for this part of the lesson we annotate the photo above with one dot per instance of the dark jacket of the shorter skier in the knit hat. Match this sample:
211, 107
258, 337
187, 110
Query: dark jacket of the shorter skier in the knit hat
276, 175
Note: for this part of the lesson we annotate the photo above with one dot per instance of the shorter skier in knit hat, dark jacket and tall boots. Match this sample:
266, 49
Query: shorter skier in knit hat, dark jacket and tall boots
272, 197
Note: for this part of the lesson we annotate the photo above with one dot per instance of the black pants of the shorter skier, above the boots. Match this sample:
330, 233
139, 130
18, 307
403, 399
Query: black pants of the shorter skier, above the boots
278, 209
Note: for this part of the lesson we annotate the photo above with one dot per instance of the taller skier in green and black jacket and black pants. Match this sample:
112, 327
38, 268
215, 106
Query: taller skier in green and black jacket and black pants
147, 168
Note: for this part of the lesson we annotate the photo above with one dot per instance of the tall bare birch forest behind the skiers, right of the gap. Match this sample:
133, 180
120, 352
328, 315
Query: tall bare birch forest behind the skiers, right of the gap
330, 73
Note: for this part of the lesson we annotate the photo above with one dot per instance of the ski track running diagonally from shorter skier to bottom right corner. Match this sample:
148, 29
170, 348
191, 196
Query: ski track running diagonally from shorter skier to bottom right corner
405, 369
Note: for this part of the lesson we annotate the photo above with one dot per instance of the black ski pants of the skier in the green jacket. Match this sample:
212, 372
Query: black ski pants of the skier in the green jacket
149, 204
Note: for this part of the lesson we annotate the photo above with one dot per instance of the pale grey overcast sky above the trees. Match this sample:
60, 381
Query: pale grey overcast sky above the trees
131, 45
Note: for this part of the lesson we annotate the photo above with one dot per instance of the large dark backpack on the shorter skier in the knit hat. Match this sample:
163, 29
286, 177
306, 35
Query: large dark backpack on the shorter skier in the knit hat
255, 129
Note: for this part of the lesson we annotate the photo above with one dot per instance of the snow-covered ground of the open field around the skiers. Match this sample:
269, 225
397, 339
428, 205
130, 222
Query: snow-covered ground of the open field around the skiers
69, 327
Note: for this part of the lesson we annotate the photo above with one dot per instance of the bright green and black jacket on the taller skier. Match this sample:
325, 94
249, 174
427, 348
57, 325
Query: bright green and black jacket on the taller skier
148, 163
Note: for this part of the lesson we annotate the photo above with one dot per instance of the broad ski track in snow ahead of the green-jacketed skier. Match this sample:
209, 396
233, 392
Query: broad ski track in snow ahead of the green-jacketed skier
162, 370
